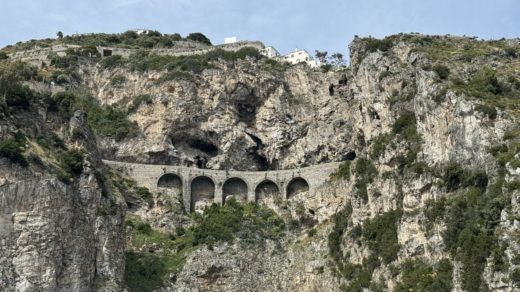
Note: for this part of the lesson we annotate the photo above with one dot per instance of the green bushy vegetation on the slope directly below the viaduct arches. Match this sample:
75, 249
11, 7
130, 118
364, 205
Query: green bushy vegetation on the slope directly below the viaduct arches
145, 271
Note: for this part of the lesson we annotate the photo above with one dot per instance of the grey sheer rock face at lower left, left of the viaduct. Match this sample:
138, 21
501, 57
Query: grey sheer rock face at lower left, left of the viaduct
57, 236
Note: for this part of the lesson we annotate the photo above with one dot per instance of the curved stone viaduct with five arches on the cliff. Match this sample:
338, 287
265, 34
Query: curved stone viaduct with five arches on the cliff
200, 187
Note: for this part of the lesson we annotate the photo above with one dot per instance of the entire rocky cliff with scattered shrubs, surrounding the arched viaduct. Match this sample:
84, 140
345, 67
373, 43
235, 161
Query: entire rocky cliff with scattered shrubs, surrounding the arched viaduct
426, 199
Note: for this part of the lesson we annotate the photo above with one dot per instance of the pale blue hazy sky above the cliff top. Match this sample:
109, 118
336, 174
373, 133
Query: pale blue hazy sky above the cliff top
286, 25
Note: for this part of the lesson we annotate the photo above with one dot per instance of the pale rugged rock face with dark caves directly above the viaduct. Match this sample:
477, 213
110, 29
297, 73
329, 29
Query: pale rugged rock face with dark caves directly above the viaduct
242, 118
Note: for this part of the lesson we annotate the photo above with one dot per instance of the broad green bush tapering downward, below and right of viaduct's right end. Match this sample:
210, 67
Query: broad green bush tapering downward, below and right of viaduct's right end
380, 233
